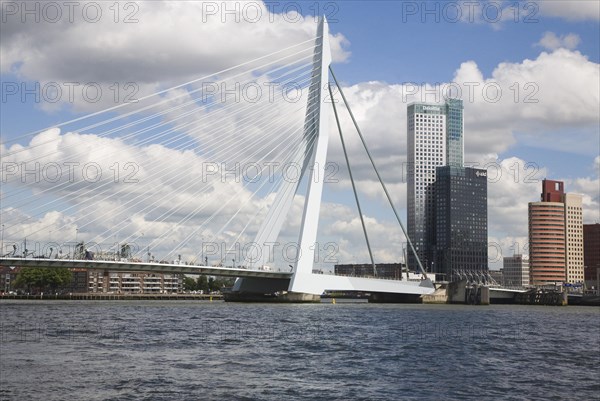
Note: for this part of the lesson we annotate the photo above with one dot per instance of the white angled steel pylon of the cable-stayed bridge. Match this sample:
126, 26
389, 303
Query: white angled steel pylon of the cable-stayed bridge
313, 159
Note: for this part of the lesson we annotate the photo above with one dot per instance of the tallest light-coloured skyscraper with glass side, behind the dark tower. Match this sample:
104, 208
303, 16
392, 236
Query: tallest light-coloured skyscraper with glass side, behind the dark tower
435, 138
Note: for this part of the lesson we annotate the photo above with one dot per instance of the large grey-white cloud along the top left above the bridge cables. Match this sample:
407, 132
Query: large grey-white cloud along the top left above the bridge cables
168, 45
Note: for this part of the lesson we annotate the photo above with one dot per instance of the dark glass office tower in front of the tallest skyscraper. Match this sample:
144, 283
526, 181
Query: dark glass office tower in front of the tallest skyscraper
460, 231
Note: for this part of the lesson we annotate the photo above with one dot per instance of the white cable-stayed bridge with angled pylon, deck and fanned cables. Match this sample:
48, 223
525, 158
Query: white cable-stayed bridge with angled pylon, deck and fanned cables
174, 120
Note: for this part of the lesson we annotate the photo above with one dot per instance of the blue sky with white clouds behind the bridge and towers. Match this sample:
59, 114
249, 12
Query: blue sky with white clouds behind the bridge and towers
528, 74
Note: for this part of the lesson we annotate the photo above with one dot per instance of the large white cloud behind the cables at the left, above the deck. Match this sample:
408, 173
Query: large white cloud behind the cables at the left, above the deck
116, 192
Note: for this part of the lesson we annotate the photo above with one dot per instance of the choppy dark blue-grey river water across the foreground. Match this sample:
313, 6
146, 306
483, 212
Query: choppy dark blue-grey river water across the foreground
190, 350
